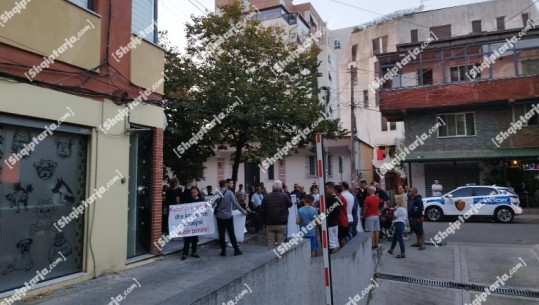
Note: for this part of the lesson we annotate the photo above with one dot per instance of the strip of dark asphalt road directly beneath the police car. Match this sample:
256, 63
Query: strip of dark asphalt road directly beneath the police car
523, 231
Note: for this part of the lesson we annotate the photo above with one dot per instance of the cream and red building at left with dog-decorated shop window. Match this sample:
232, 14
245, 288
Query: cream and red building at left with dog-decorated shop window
80, 138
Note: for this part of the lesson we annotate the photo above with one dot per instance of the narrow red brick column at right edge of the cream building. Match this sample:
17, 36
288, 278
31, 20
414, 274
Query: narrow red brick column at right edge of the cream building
157, 188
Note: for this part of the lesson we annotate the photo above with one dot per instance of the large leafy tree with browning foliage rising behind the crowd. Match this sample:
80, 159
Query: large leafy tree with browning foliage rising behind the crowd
235, 70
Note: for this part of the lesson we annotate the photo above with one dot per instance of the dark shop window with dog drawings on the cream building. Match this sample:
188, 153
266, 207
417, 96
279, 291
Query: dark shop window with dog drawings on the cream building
43, 178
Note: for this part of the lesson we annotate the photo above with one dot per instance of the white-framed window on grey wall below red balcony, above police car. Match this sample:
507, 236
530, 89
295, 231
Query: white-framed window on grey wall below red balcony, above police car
457, 125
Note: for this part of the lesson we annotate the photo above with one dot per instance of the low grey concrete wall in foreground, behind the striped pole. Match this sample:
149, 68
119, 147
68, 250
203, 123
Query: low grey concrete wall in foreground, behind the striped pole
294, 279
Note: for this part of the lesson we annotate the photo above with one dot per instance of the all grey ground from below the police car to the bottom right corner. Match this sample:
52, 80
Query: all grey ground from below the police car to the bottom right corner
483, 262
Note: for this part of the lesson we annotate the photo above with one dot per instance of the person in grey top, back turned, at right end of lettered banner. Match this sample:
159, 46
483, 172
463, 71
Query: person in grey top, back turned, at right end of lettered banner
223, 213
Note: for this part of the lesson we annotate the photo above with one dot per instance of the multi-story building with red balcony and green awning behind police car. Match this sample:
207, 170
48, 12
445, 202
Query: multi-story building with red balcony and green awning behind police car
477, 79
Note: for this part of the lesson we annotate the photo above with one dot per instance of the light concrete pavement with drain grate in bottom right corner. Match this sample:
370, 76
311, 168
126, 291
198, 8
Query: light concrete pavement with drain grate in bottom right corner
459, 263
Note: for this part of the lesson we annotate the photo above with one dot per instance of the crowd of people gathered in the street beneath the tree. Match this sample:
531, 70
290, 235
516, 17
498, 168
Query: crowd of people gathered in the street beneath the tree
366, 208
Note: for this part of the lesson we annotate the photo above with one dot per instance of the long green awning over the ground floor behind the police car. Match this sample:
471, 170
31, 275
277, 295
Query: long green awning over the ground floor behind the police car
502, 153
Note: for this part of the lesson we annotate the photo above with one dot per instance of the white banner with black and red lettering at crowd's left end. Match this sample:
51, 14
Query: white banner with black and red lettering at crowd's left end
182, 222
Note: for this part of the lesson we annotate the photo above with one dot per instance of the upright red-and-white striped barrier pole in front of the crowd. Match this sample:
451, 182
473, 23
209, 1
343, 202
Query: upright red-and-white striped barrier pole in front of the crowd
324, 237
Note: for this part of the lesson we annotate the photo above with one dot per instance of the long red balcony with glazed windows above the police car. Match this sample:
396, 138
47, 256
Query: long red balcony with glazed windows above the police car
455, 76
